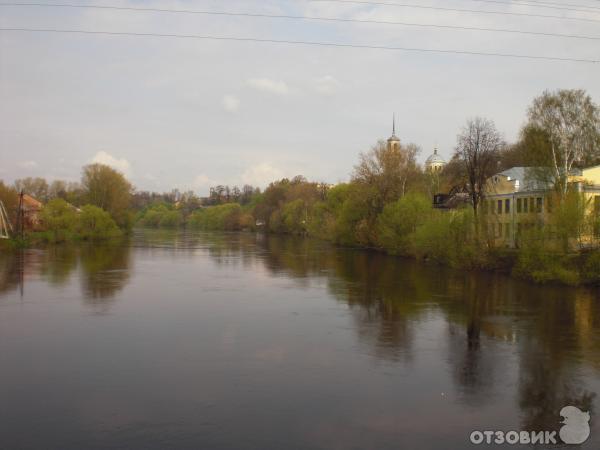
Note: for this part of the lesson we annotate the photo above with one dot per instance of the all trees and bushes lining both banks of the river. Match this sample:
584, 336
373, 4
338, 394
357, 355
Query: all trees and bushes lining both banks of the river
386, 205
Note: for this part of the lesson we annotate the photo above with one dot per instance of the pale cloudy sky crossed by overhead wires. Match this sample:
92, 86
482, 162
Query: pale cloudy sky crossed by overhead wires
190, 114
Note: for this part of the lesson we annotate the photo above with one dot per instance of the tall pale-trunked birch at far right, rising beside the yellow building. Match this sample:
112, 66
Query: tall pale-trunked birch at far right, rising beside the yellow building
571, 122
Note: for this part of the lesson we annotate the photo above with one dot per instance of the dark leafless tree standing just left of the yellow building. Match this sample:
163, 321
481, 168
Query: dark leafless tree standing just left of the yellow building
478, 147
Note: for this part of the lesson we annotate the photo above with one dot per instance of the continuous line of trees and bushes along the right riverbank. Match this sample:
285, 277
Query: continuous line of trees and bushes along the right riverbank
387, 204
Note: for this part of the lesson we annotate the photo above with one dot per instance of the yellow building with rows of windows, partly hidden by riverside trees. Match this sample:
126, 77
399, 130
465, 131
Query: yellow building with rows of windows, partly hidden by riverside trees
516, 199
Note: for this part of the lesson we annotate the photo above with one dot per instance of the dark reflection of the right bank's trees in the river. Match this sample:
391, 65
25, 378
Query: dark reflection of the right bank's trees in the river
553, 330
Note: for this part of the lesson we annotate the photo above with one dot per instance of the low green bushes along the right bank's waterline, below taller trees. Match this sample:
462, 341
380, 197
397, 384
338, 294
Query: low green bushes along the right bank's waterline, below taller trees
408, 227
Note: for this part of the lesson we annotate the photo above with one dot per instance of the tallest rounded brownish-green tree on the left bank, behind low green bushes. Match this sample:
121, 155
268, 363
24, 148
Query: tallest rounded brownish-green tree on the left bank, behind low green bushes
108, 189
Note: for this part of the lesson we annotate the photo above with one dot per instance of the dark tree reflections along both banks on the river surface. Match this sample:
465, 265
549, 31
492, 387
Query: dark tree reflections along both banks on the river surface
491, 325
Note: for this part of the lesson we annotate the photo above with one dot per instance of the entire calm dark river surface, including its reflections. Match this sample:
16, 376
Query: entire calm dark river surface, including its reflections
240, 341
